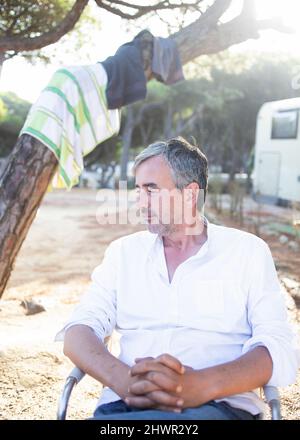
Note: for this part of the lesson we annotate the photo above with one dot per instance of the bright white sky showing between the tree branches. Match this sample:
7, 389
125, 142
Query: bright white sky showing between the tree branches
27, 80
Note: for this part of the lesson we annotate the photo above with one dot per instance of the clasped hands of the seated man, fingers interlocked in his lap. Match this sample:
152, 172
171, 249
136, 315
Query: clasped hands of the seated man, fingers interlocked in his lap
161, 383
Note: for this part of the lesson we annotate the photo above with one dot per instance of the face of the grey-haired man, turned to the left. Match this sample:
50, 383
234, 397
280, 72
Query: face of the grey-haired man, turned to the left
160, 202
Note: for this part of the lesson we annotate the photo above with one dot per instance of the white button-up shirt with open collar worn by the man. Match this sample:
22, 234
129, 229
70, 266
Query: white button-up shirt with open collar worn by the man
221, 303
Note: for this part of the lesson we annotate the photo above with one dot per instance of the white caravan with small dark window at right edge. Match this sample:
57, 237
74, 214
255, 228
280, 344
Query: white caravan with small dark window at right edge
276, 177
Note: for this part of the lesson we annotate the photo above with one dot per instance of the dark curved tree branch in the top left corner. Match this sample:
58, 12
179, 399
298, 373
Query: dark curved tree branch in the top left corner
24, 44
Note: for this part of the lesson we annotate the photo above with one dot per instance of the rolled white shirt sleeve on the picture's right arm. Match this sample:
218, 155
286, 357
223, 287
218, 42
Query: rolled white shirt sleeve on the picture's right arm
267, 316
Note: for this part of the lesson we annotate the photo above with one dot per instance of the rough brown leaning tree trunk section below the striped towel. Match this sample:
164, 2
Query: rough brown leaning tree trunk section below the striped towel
22, 187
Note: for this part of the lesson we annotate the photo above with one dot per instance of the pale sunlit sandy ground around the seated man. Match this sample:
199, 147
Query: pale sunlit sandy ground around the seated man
63, 246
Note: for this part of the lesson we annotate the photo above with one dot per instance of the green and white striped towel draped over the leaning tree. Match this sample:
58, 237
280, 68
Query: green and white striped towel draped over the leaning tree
71, 118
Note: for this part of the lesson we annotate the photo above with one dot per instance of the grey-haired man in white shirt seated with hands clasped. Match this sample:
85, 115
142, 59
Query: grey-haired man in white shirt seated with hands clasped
198, 306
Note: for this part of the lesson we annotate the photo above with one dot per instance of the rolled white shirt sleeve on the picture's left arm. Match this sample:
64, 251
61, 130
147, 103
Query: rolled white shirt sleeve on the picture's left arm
97, 308
